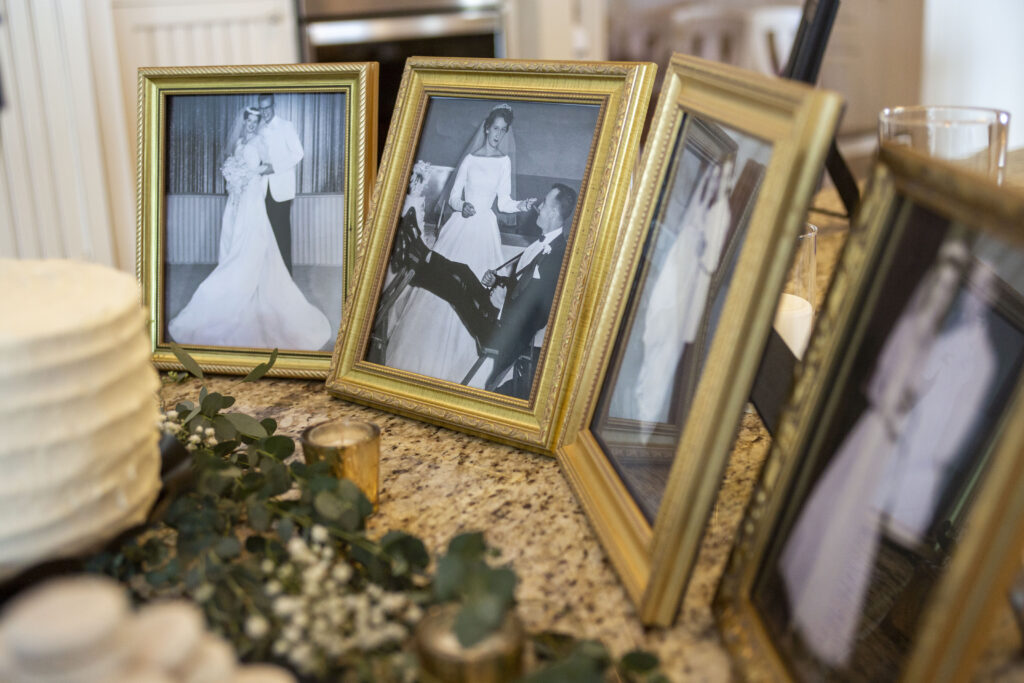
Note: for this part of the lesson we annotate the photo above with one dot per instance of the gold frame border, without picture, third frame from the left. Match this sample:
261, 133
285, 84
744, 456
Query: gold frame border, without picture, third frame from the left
655, 565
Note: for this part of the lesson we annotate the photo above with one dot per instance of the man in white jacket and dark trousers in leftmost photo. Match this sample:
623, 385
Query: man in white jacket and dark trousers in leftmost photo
284, 154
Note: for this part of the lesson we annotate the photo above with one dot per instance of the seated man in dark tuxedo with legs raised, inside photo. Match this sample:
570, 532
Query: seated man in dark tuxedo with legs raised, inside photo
506, 336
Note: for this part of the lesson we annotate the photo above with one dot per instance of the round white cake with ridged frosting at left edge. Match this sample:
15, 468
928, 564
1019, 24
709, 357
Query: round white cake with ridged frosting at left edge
78, 410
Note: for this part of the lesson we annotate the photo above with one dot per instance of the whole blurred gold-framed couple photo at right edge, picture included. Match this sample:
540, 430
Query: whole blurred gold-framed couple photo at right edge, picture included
931, 243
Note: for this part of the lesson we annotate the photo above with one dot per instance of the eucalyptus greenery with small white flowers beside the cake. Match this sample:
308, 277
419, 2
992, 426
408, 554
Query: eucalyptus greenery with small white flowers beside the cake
252, 531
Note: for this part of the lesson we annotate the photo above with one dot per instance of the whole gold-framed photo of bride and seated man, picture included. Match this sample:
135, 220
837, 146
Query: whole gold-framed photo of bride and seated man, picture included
577, 126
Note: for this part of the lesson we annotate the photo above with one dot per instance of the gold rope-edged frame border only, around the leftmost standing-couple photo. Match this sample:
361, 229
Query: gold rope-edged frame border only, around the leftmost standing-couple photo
358, 80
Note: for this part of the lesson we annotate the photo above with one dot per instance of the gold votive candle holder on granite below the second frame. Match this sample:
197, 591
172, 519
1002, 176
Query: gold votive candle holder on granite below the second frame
354, 450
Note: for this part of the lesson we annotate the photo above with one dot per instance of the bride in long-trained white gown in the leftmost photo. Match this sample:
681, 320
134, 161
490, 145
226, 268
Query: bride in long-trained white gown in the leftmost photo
249, 301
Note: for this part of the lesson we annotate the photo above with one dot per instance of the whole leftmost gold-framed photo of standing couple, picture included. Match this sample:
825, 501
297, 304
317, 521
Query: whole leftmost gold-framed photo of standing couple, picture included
194, 269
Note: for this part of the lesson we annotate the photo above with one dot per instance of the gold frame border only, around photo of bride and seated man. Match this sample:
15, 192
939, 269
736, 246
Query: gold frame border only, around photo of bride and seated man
623, 92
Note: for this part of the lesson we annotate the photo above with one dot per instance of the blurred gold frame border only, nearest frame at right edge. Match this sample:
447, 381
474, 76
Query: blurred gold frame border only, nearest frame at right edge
965, 600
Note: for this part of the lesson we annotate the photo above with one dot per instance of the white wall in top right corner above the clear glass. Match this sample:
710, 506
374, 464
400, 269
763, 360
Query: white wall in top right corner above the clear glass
974, 55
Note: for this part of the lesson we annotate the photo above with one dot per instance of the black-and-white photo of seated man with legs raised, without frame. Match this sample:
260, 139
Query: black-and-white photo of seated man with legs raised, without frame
483, 236
